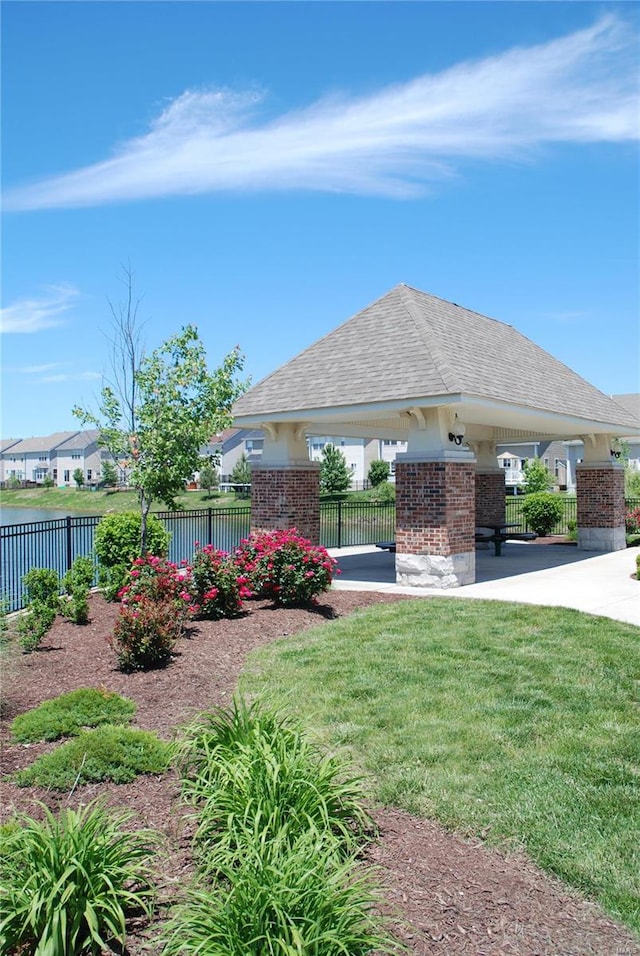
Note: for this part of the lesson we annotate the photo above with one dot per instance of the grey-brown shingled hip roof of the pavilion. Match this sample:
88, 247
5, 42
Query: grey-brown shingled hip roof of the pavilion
412, 348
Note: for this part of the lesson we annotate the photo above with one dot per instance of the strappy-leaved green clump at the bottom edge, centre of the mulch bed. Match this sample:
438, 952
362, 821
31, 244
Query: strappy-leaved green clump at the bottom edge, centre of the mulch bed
282, 898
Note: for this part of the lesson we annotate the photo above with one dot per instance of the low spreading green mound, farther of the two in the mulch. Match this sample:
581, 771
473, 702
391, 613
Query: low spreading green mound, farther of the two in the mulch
70, 713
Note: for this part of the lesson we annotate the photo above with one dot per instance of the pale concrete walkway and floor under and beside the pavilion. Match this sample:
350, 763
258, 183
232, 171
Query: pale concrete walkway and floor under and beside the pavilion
556, 575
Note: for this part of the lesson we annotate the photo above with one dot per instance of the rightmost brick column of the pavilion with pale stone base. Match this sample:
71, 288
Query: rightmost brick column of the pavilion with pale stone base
601, 507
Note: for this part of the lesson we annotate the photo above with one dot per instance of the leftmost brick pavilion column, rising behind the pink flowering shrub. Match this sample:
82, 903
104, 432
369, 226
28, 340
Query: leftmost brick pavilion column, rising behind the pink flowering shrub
284, 497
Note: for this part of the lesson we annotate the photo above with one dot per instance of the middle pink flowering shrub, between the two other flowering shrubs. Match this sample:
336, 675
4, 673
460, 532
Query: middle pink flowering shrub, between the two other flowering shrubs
218, 585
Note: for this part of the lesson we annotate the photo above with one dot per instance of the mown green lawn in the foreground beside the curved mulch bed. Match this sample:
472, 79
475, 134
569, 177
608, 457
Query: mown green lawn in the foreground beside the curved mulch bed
518, 724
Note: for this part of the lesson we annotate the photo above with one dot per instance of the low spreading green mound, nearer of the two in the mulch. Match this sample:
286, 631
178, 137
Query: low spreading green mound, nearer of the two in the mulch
119, 754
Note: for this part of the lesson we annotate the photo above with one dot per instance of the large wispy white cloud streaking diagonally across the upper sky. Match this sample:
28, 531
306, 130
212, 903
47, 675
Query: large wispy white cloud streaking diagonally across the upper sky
578, 88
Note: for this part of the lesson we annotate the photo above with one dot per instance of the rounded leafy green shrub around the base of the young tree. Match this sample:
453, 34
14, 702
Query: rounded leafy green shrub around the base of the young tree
117, 545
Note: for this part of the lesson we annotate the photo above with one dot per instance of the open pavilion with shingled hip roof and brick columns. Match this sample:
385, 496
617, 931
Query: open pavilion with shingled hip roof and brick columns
453, 384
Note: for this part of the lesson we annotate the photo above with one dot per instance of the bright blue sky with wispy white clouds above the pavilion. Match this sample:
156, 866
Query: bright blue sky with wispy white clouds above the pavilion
269, 169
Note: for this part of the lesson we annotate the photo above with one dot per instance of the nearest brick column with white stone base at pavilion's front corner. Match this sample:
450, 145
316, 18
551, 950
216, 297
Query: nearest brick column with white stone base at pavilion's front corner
435, 523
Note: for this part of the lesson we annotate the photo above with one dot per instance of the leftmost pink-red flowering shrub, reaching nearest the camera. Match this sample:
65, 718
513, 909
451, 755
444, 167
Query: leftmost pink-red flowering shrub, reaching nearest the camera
155, 606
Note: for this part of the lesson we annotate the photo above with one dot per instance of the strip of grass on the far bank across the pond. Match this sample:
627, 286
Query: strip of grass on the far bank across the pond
85, 501
